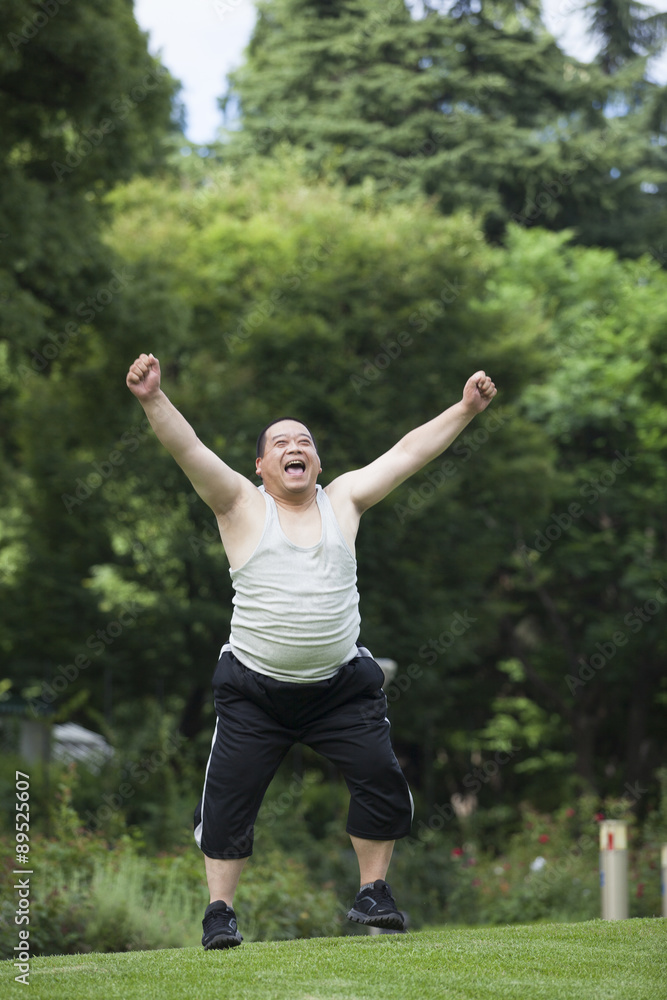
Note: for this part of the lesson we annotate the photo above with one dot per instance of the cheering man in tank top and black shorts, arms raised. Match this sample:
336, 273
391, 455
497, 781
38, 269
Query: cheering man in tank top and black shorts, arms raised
292, 671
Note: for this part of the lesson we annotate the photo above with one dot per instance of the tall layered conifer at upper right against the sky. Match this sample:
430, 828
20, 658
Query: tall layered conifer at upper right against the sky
473, 104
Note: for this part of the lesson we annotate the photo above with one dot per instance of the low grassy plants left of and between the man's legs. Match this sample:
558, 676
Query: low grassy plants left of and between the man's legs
99, 894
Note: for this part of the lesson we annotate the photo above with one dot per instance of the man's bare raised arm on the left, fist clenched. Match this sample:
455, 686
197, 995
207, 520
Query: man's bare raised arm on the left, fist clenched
218, 485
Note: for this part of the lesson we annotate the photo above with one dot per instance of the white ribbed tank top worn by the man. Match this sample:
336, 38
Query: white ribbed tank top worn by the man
296, 610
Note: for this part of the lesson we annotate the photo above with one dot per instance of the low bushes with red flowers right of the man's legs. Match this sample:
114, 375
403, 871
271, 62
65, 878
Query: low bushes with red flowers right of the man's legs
547, 870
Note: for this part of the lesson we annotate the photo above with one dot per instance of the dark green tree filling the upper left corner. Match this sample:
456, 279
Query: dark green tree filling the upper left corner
82, 106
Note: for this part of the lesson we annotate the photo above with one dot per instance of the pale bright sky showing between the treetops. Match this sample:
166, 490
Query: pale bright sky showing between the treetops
200, 41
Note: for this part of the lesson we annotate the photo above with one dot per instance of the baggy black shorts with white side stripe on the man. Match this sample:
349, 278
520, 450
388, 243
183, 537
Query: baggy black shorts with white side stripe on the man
260, 719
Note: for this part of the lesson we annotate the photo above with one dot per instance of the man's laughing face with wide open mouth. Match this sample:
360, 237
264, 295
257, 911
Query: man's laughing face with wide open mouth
290, 462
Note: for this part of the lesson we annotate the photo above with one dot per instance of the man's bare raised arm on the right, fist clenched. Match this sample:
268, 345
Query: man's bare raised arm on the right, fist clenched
370, 484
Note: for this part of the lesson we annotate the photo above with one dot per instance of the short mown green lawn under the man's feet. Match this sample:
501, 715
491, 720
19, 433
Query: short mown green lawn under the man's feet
598, 960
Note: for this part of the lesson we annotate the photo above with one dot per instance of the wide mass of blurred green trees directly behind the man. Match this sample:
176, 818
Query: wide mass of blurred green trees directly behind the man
264, 295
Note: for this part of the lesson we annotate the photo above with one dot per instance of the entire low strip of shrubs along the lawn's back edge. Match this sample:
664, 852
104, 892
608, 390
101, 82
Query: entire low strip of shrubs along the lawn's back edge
94, 895
